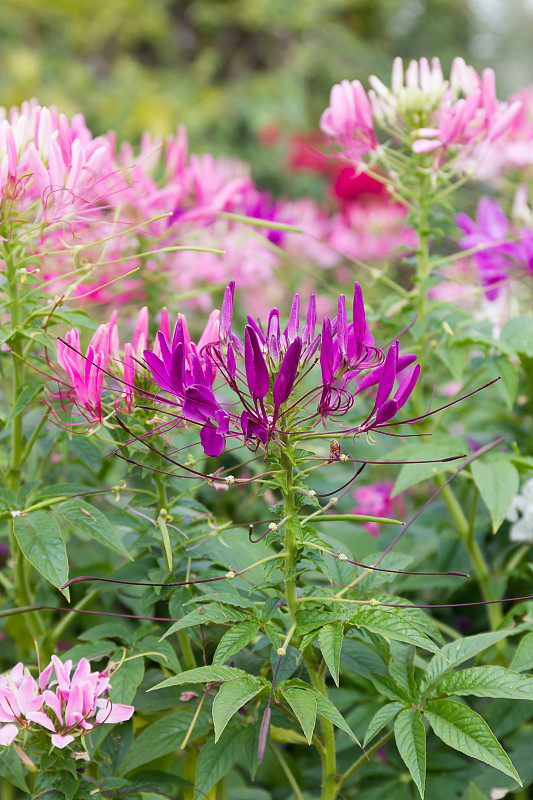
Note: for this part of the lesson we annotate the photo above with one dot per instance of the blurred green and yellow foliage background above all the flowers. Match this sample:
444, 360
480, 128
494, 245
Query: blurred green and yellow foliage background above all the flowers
238, 72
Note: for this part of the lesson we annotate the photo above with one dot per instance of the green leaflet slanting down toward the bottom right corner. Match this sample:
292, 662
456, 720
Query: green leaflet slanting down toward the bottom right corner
464, 730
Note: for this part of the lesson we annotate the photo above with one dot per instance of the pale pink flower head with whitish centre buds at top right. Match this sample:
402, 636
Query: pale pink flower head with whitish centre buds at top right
422, 111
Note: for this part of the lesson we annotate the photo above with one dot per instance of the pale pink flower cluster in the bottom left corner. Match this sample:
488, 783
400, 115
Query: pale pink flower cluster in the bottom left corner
64, 704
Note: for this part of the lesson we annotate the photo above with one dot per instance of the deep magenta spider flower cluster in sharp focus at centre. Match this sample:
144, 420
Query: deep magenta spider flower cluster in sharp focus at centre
260, 398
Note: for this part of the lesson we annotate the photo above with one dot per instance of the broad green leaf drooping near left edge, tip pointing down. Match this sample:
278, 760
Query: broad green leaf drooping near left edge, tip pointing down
39, 539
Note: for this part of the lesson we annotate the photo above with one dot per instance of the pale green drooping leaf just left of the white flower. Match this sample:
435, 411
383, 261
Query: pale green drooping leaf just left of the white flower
498, 483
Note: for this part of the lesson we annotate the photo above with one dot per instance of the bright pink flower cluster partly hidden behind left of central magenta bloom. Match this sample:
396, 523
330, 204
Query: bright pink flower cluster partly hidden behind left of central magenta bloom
82, 378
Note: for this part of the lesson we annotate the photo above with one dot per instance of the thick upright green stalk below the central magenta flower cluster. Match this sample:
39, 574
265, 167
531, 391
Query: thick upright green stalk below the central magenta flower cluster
329, 770
